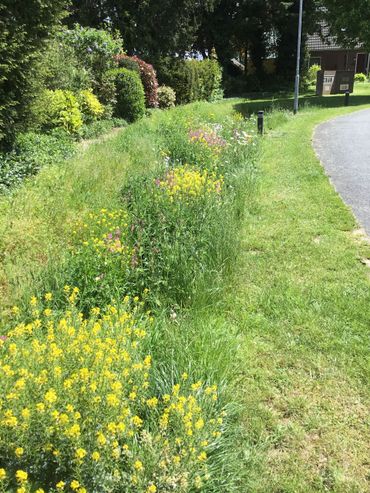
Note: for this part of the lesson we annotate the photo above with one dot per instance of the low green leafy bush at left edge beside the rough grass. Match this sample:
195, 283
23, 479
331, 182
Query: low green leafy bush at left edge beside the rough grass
32, 152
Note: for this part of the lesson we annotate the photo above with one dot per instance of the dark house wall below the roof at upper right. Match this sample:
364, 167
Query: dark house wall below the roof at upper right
339, 60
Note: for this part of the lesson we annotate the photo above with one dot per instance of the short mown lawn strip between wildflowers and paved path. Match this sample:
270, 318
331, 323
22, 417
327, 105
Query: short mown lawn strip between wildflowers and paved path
301, 303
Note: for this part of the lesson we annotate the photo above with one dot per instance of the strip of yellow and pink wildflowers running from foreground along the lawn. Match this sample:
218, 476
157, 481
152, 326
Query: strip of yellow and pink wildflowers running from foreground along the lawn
90, 408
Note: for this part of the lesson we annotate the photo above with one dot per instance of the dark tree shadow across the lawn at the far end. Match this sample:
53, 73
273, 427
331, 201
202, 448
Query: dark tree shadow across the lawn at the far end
252, 105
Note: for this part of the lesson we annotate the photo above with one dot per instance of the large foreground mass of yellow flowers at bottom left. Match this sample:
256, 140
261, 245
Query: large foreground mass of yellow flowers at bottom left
78, 396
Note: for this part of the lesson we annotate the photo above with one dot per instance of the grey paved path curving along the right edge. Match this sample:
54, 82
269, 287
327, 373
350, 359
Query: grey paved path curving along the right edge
343, 146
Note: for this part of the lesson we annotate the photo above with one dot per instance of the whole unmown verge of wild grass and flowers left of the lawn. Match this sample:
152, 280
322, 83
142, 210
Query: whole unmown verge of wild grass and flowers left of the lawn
156, 219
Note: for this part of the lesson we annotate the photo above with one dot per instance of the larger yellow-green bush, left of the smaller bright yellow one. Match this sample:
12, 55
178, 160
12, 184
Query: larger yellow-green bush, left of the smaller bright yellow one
62, 110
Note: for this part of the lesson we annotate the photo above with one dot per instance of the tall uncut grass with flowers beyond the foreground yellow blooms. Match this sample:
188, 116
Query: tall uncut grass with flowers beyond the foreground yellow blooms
155, 212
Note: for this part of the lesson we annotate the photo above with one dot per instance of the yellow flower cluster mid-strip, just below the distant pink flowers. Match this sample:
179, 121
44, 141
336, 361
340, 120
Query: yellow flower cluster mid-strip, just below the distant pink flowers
186, 182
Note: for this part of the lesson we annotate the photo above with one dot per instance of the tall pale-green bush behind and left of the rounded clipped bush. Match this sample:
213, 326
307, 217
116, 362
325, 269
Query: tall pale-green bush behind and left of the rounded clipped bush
95, 50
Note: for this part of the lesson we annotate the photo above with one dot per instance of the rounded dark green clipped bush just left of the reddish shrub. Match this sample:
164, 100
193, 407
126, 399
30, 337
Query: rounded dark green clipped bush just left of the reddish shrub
129, 94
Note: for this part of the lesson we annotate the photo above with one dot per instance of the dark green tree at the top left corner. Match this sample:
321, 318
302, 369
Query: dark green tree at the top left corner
24, 27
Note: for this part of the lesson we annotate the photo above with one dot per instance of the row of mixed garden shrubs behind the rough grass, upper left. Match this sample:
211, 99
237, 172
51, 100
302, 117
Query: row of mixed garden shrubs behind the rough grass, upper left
76, 82
